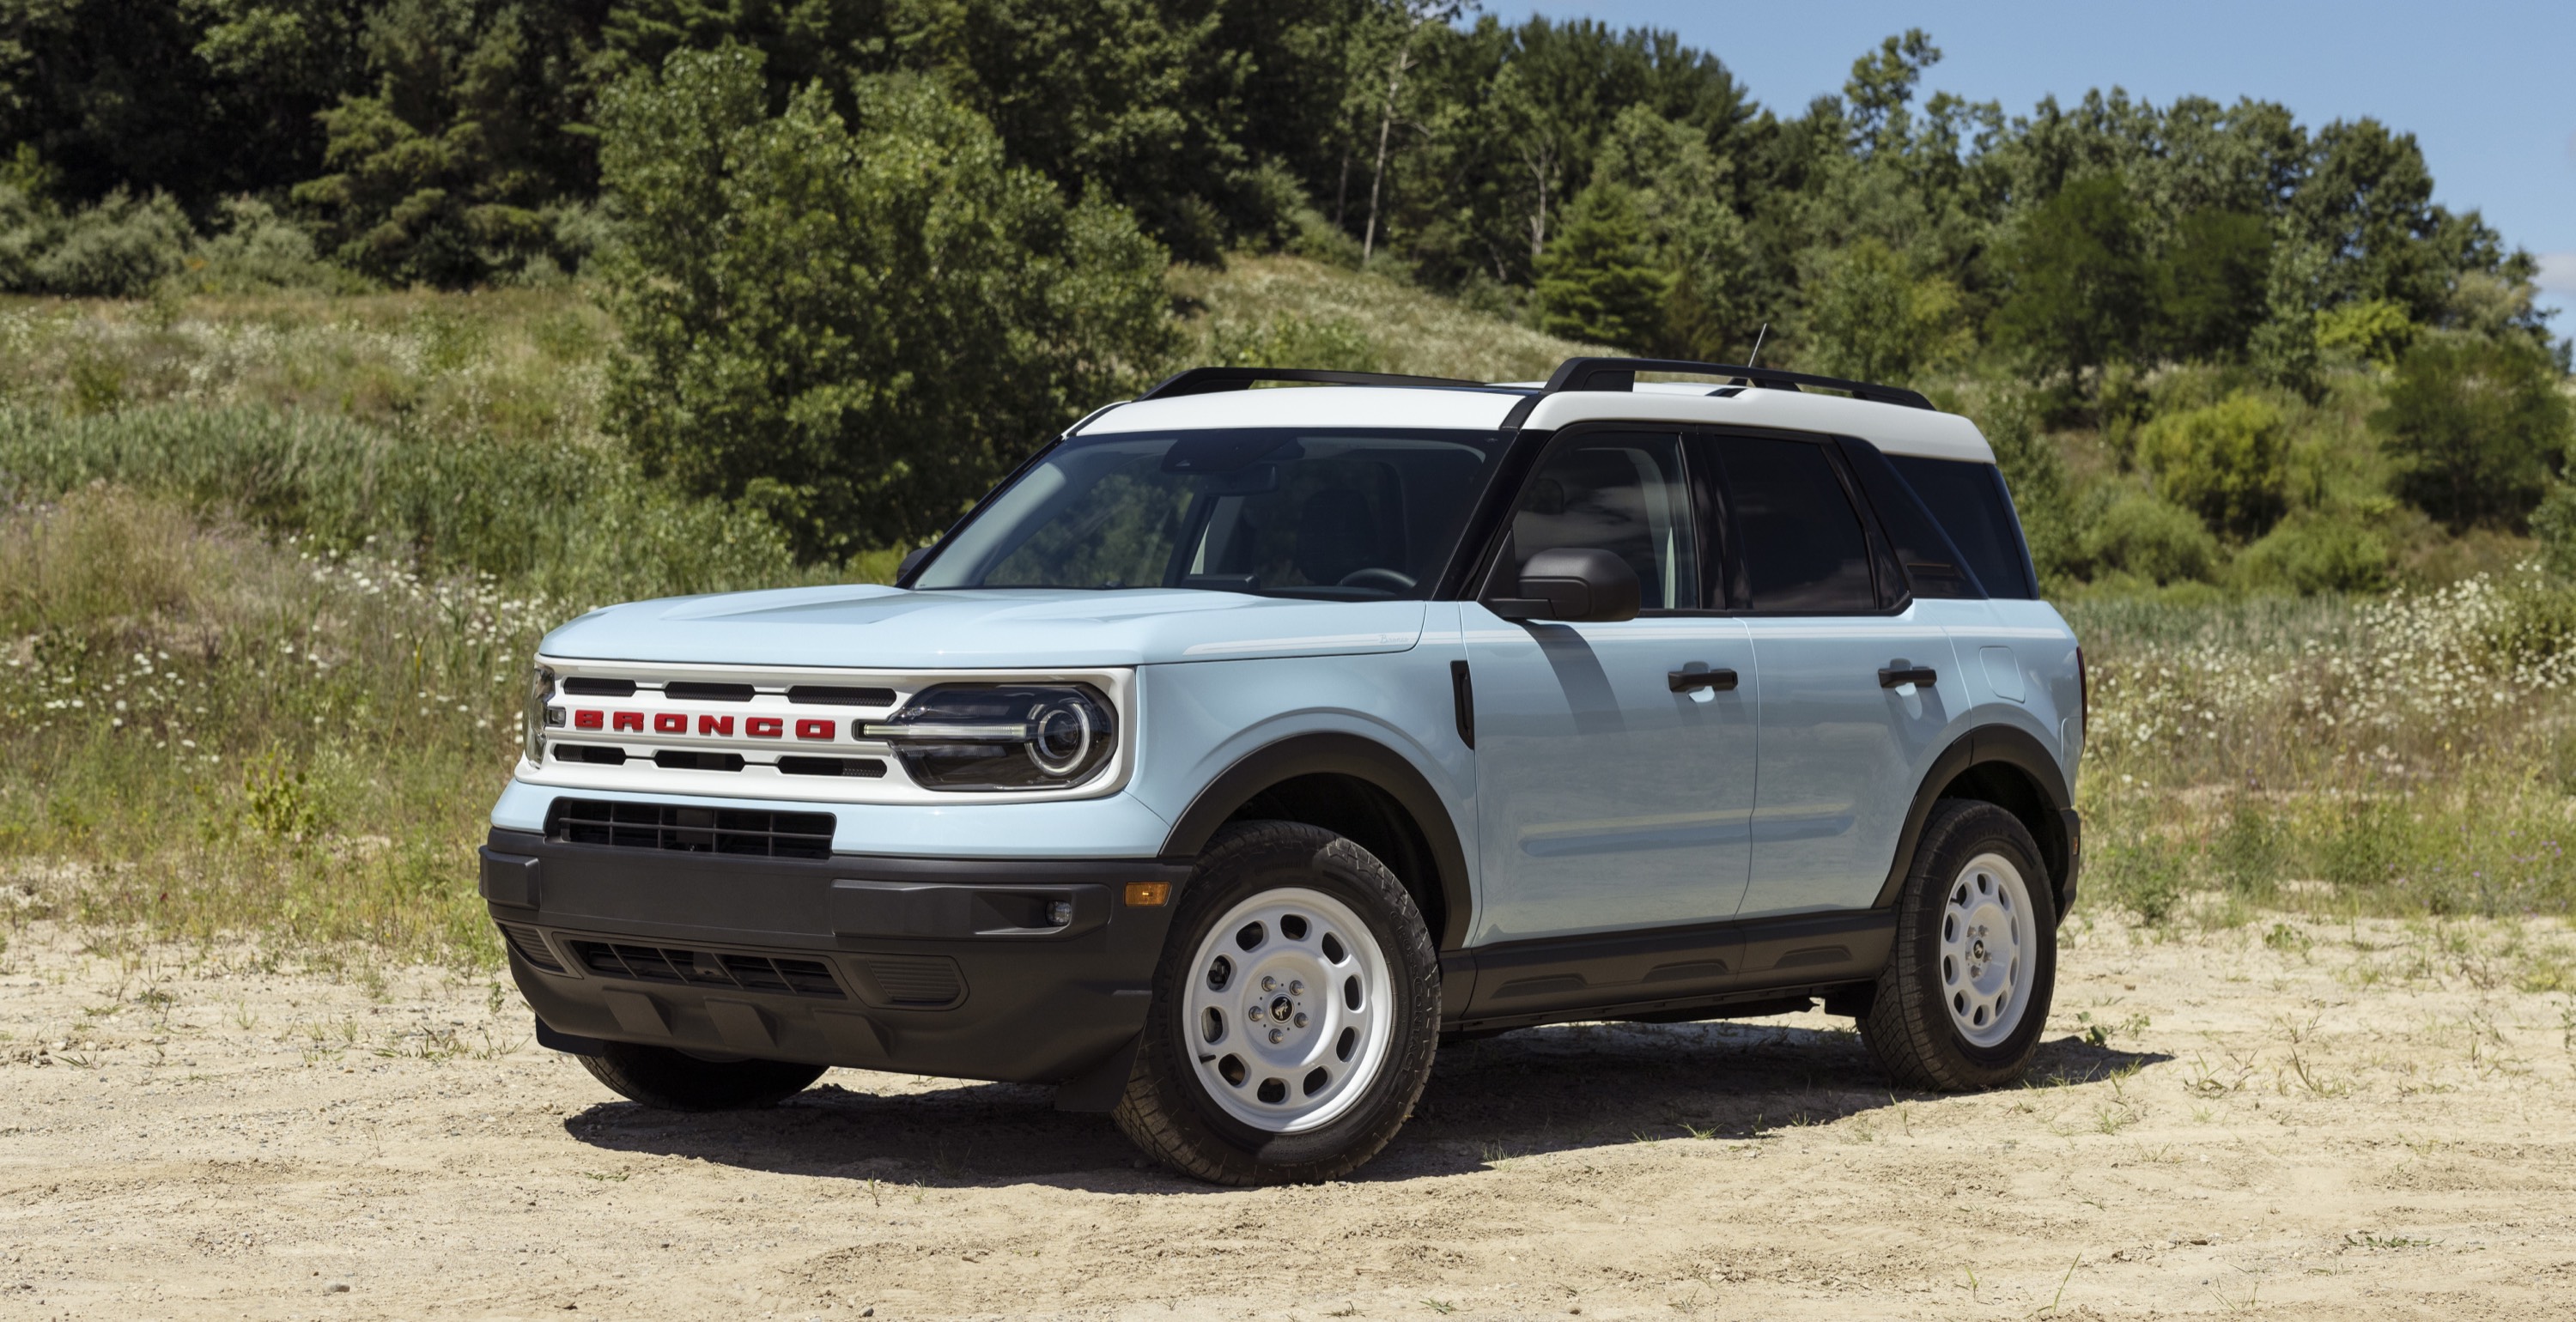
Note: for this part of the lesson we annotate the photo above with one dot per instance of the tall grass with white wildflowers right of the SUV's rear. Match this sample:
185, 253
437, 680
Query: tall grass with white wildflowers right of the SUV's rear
2407, 754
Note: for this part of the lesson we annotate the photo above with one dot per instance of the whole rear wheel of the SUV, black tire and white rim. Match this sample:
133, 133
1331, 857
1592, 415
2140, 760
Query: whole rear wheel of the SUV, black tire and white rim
1977, 955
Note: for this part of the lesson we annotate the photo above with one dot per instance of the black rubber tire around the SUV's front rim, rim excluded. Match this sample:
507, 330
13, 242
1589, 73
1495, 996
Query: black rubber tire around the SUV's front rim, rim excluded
1171, 1112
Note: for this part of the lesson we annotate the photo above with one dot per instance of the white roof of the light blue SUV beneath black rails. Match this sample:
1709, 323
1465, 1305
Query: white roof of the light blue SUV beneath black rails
1895, 429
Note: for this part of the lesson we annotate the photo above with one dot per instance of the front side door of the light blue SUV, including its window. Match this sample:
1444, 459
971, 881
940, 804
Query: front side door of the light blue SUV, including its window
1611, 792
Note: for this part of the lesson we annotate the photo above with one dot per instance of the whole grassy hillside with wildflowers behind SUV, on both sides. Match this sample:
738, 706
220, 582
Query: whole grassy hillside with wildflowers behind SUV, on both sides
272, 571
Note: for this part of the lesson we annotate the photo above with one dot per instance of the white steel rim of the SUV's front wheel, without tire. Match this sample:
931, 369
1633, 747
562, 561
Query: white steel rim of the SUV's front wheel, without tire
1287, 1011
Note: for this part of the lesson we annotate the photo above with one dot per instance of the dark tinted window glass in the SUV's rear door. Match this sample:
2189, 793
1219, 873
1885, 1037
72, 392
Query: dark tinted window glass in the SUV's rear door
1804, 550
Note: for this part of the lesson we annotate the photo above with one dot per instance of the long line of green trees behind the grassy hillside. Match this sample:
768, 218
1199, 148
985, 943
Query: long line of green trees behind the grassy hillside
833, 225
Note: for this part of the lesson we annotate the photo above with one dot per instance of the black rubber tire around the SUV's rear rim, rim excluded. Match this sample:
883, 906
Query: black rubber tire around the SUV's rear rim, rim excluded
1910, 1024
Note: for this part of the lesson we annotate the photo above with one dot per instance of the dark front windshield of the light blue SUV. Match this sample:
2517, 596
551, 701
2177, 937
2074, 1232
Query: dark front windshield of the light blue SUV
1282, 512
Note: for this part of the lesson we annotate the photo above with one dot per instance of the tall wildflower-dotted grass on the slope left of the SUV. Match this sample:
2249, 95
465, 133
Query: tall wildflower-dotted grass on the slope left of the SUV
269, 581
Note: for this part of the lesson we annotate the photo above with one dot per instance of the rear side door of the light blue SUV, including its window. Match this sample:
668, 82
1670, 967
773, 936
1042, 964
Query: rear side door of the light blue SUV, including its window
1853, 684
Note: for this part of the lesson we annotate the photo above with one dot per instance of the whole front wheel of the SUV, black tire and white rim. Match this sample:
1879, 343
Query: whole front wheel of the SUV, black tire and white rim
1294, 1019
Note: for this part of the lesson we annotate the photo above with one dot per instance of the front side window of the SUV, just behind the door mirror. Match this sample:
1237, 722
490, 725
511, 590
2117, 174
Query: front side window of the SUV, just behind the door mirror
1619, 493
